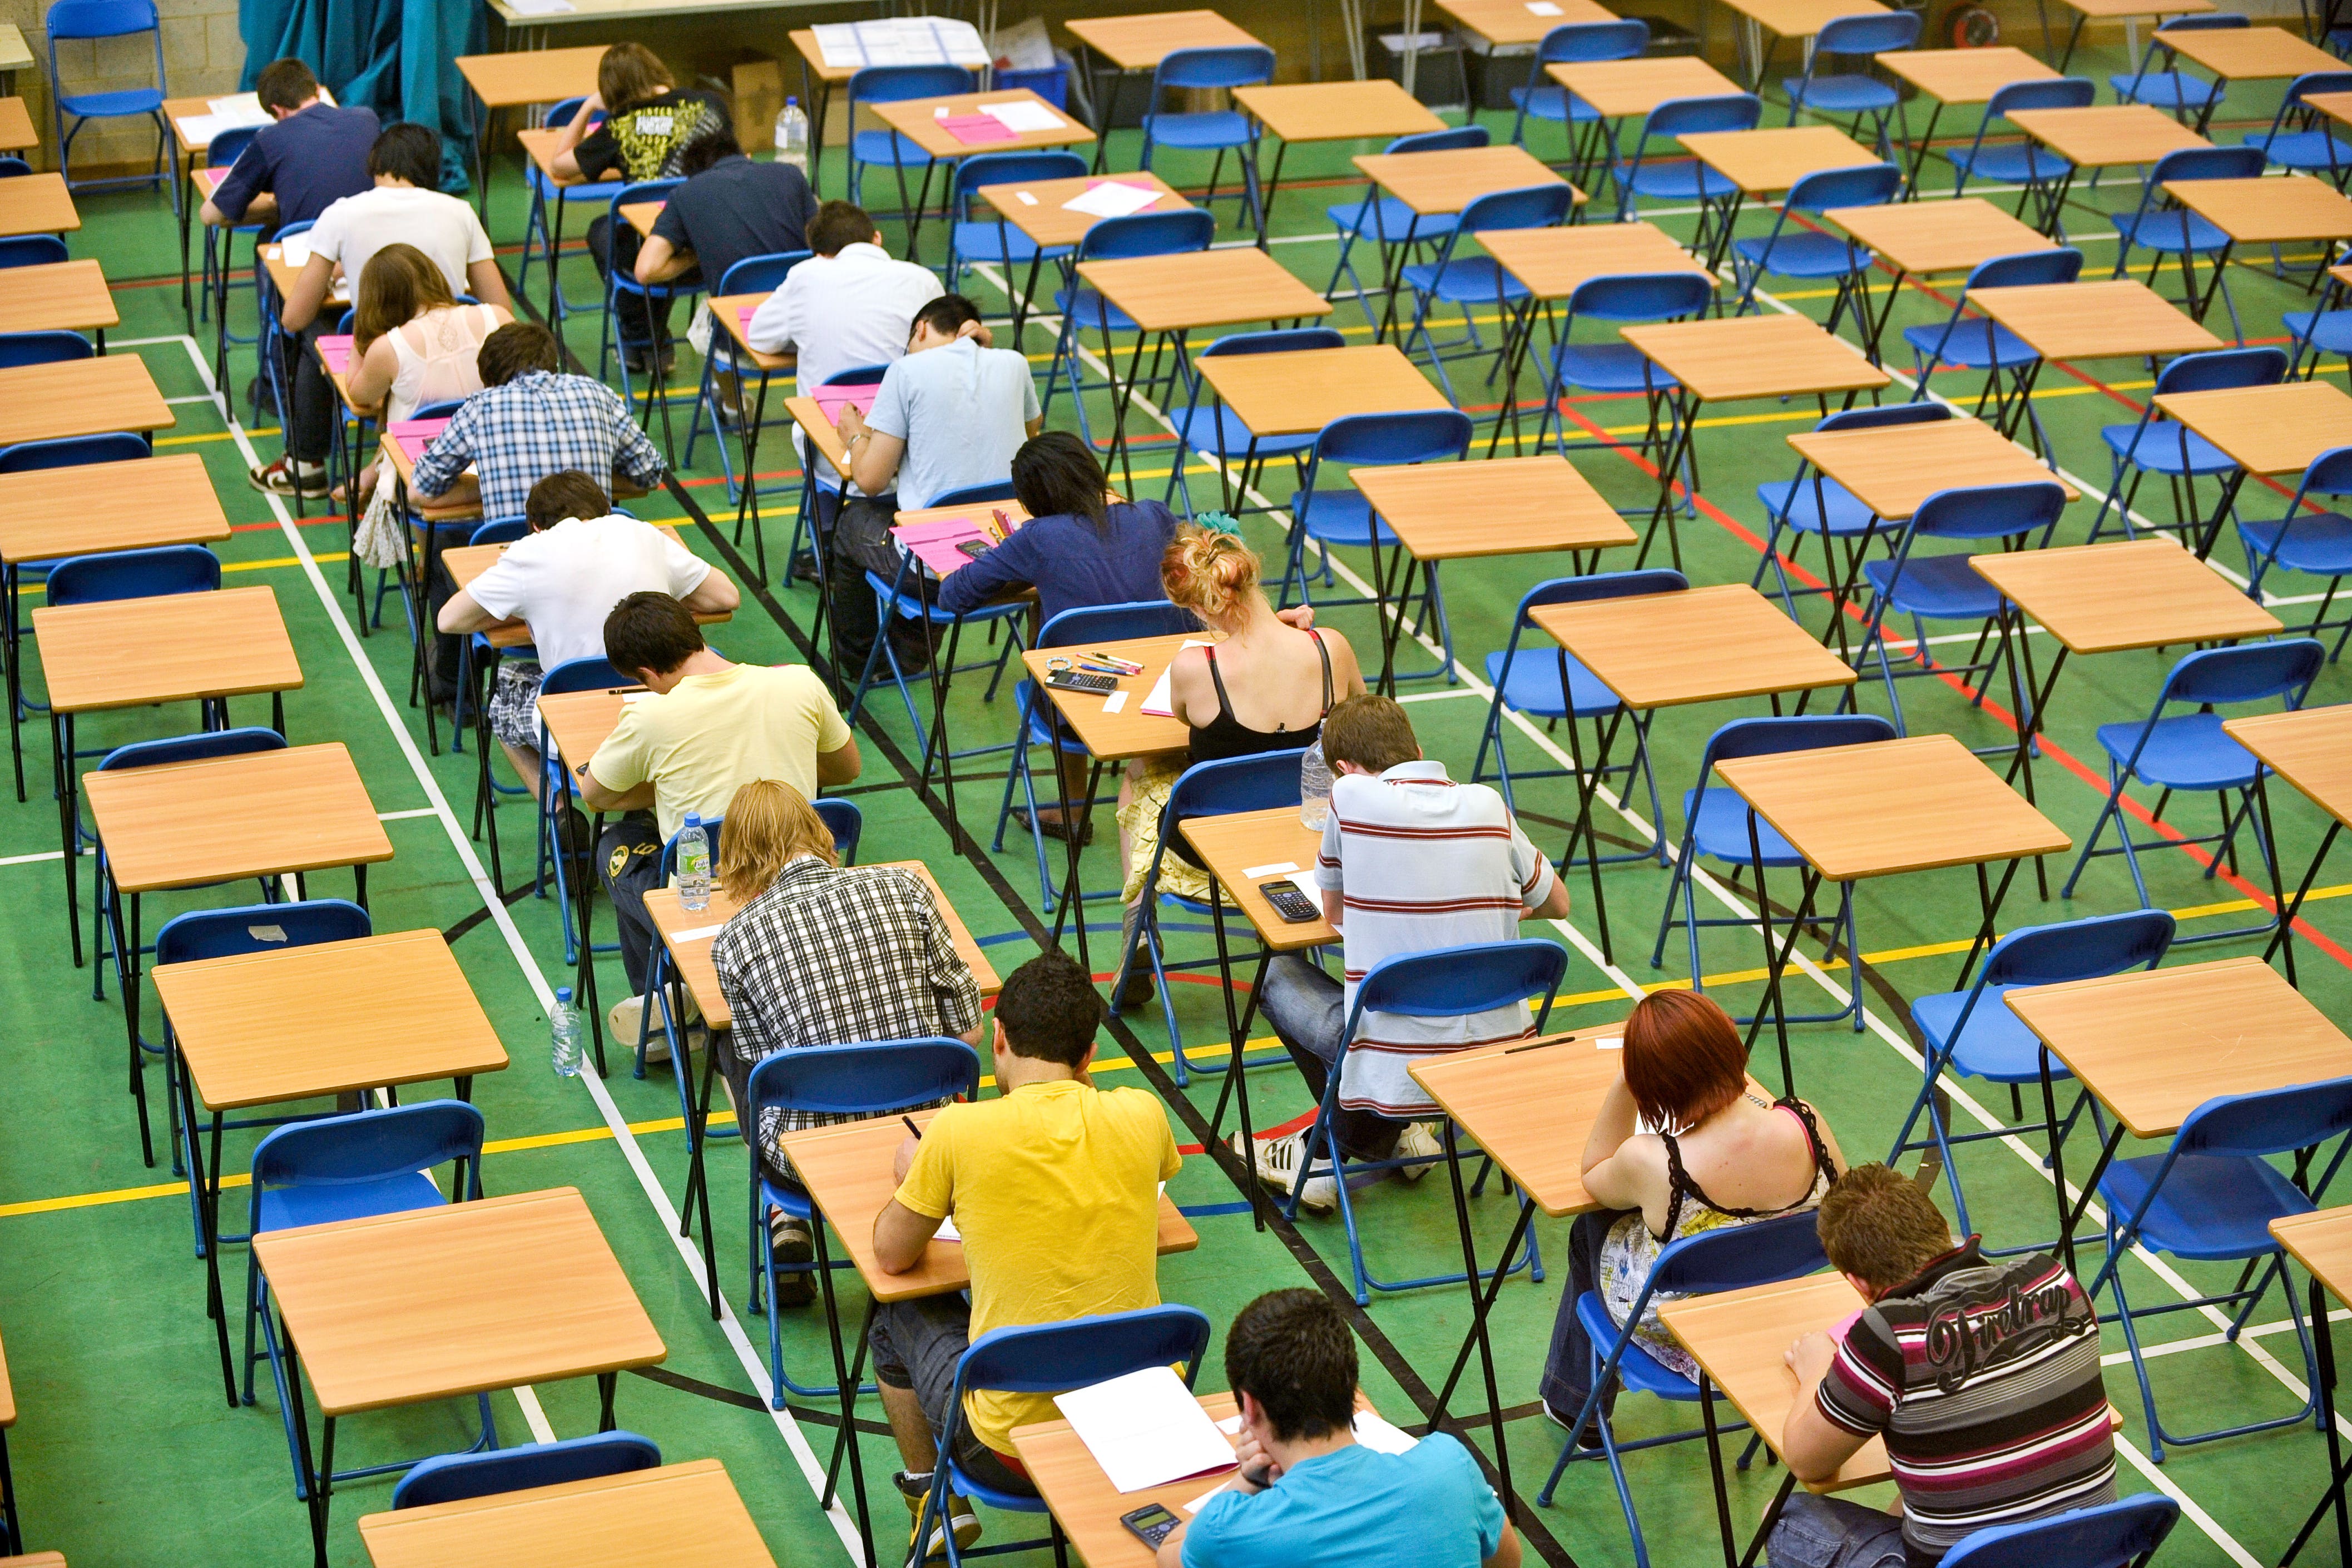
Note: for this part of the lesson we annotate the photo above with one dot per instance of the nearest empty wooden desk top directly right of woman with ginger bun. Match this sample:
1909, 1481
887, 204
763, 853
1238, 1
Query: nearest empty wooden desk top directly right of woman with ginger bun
1702, 645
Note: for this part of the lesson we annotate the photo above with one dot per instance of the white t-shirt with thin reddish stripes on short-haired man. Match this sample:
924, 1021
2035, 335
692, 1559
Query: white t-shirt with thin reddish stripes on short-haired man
1422, 864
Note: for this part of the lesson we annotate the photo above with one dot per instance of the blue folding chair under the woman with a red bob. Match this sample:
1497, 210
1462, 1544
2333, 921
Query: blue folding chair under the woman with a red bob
1713, 1261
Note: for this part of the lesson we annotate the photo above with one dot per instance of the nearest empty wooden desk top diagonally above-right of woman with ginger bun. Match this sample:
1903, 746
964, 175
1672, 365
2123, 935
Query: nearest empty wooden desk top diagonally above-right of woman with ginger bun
1502, 507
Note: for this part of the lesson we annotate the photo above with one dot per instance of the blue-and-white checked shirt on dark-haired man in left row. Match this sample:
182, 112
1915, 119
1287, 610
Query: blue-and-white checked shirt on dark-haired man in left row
528, 429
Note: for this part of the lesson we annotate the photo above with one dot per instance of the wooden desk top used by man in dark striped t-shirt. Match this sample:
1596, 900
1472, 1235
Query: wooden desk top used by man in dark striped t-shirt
1739, 1341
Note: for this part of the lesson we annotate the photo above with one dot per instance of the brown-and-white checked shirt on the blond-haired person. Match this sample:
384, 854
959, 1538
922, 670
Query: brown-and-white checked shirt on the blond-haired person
831, 958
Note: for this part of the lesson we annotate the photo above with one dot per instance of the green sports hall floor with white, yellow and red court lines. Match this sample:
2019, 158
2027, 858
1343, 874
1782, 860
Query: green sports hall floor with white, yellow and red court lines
128, 1456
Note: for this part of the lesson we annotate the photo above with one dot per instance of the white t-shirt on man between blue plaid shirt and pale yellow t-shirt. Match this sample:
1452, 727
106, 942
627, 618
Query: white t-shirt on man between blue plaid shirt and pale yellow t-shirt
568, 579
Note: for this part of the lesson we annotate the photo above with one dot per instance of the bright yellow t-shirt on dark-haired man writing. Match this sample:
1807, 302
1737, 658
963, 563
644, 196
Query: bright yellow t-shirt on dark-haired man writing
1057, 1195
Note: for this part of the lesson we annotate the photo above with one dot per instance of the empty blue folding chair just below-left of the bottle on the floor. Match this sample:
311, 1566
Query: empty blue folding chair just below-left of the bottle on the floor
354, 1167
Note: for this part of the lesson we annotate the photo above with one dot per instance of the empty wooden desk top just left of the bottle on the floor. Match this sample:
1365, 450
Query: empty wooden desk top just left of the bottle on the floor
326, 1019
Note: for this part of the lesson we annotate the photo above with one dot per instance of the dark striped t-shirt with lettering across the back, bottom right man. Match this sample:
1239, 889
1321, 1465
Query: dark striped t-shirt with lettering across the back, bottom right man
1984, 1381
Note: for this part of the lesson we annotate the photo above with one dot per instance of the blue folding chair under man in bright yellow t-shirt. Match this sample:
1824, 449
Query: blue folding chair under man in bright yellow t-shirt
1050, 1360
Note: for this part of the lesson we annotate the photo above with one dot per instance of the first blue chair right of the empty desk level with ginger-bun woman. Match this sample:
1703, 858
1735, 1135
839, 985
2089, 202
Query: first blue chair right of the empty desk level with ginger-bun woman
1949, 589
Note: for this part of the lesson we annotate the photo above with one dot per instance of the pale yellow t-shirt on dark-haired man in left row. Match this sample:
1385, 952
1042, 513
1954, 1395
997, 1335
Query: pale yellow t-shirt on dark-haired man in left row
714, 735
